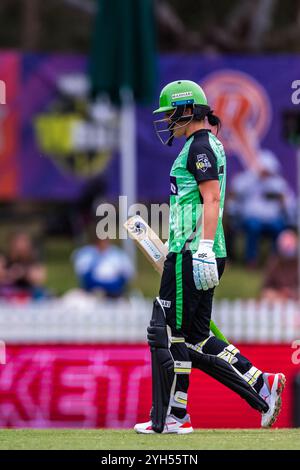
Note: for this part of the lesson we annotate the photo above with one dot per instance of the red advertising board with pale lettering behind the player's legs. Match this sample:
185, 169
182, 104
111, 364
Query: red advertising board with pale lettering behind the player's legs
109, 386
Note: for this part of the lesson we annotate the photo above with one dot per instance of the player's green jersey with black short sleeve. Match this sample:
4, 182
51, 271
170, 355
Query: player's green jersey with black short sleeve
202, 158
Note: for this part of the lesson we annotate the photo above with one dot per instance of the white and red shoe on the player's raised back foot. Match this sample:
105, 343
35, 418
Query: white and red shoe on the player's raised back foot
271, 392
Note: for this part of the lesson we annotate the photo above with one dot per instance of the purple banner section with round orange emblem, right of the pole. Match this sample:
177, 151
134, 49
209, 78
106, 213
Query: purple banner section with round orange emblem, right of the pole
248, 93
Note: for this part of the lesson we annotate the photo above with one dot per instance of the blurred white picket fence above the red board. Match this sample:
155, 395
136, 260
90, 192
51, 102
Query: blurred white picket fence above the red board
81, 319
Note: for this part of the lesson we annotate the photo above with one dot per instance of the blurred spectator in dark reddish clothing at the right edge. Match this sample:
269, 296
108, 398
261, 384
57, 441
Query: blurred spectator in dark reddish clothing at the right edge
281, 276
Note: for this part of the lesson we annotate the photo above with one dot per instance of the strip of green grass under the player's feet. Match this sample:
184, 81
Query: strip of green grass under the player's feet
112, 440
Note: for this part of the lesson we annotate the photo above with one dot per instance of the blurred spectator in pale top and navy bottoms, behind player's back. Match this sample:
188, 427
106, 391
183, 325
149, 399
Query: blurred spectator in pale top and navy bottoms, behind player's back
260, 204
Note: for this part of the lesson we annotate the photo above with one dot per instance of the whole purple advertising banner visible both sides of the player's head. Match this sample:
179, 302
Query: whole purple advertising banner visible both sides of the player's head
61, 144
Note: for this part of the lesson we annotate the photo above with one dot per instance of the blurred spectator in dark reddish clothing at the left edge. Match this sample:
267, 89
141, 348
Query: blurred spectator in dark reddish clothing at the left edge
22, 275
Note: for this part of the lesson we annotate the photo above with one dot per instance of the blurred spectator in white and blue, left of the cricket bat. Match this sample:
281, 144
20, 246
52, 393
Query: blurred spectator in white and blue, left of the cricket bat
104, 268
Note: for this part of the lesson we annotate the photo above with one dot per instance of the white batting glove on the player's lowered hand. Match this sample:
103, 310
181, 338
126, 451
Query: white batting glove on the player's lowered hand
205, 270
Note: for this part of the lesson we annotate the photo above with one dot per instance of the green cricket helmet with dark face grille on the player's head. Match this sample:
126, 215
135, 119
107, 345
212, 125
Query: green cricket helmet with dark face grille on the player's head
176, 97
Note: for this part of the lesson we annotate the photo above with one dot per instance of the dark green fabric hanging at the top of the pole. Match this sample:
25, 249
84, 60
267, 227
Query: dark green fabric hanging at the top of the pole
123, 50
